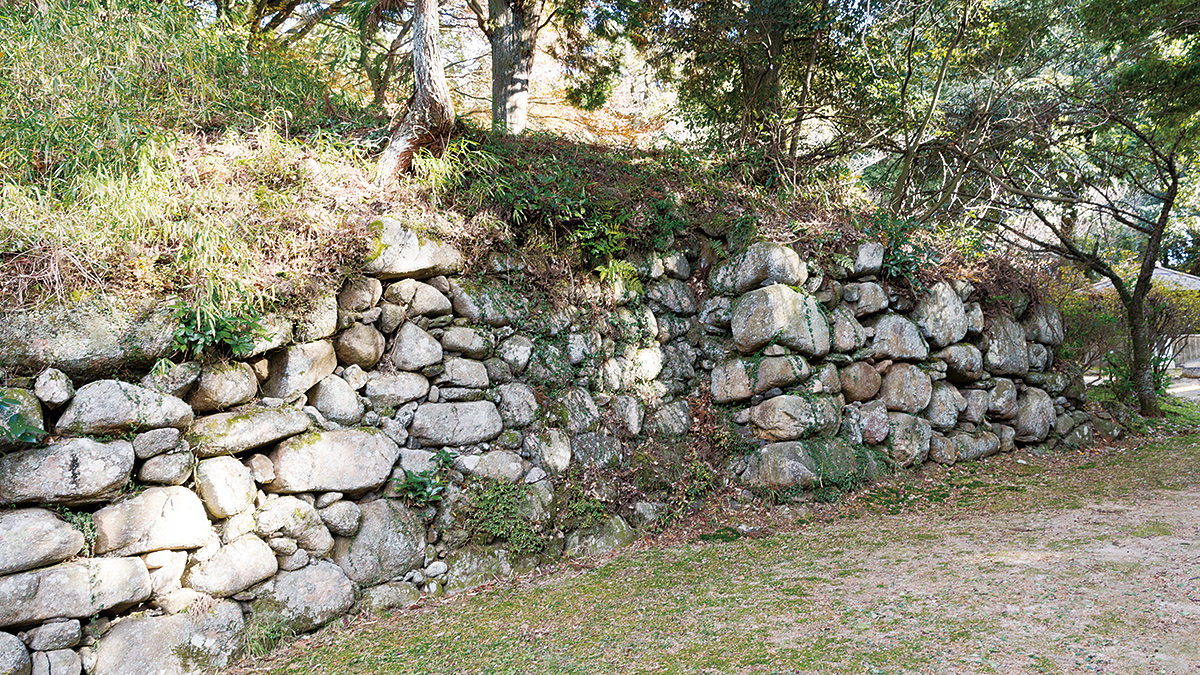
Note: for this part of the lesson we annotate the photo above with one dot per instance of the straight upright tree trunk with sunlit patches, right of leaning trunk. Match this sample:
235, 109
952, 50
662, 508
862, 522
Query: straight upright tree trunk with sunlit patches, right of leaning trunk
513, 32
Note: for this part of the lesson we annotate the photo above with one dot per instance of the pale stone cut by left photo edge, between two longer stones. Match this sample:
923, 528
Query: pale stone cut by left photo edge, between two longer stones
35, 537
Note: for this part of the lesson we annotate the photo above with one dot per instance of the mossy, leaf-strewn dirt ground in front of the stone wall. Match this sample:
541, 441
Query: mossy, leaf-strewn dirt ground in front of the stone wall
1017, 565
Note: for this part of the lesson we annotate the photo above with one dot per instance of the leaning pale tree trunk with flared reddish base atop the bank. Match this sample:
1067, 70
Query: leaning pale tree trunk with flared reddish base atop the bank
430, 116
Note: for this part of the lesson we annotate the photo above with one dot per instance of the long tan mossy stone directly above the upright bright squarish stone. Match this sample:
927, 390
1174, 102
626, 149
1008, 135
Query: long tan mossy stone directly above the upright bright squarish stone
231, 433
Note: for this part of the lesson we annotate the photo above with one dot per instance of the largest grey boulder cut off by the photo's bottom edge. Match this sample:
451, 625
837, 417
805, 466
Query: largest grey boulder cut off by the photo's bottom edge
194, 642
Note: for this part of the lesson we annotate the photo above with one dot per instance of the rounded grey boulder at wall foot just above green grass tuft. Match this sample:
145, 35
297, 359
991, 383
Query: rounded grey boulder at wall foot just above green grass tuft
308, 599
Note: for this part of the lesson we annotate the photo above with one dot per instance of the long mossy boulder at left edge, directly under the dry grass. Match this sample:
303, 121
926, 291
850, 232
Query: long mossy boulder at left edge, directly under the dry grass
89, 339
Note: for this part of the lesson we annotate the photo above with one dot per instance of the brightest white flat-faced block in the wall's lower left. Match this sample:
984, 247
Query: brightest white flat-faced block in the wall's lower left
159, 518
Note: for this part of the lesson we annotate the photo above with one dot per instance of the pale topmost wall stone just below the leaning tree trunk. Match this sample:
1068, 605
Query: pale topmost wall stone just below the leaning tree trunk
404, 254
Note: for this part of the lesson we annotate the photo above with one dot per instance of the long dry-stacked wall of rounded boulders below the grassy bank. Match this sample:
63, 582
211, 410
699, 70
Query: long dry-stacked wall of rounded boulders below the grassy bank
266, 491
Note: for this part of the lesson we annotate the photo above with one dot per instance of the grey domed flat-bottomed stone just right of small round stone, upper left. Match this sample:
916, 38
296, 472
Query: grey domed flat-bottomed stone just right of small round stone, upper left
111, 408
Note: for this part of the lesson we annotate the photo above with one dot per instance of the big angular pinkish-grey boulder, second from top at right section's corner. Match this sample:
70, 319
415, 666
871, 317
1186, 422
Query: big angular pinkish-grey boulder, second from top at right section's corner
777, 314
